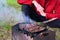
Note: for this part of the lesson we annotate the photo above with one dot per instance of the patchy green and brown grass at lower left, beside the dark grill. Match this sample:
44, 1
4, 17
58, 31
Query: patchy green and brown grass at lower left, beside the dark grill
5, 32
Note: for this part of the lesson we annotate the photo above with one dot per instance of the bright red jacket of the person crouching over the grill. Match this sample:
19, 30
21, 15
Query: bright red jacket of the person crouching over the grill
52, 7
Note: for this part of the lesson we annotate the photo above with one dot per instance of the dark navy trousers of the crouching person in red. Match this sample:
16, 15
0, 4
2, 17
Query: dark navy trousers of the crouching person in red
30, 12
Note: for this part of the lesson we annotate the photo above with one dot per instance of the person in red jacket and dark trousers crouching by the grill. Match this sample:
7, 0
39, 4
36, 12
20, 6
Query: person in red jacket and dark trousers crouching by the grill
51, 10
